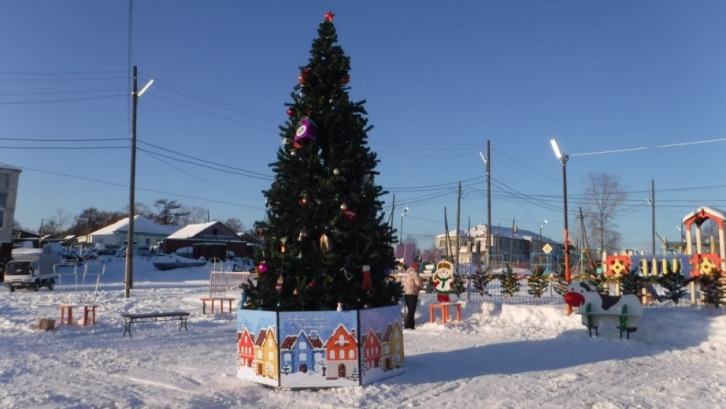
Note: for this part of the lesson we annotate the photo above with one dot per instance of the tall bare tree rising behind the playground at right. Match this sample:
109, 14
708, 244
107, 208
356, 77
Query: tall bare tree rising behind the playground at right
604, 195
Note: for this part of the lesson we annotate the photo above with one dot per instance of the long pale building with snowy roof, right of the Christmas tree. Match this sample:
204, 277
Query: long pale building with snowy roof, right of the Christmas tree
514, 243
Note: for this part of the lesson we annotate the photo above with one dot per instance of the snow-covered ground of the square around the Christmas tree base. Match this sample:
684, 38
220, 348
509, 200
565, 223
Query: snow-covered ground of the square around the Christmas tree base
499, 356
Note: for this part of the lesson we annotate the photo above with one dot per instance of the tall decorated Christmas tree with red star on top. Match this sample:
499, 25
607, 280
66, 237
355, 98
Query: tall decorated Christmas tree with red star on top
325, 240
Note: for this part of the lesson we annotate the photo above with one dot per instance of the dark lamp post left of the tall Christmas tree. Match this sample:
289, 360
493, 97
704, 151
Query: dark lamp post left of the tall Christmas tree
129, 273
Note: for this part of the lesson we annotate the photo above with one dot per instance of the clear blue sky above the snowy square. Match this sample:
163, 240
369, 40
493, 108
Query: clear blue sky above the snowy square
440, 80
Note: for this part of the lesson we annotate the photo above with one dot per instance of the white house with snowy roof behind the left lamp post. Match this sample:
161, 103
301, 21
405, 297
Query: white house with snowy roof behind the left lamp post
145, 232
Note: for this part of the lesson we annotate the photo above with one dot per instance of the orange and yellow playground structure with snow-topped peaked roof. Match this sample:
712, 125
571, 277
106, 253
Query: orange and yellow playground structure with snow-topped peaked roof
693, 263
